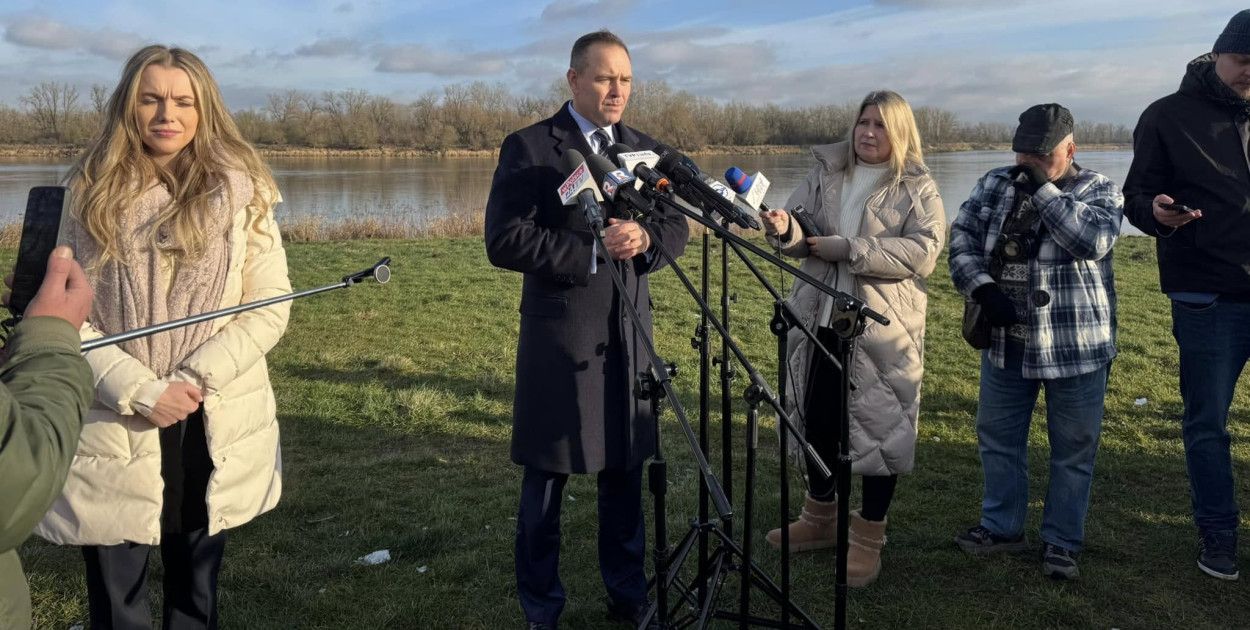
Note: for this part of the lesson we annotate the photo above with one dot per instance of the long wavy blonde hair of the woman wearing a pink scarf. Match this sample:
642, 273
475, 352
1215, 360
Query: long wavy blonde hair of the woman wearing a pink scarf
116, 169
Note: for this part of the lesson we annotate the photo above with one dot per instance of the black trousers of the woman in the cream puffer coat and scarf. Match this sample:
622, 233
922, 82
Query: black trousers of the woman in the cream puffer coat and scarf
117, 576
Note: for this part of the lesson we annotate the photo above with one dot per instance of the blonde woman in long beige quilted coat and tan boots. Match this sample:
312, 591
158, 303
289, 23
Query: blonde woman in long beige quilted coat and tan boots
883, 227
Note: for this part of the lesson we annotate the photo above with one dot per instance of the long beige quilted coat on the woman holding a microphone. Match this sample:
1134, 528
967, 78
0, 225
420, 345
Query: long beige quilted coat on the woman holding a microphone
899, 241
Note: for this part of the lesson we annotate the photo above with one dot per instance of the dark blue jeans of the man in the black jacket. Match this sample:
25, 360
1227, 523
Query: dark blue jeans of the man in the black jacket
1214, 346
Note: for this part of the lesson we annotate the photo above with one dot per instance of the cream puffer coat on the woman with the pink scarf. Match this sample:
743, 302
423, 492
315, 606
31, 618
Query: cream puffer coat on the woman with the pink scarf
114, 489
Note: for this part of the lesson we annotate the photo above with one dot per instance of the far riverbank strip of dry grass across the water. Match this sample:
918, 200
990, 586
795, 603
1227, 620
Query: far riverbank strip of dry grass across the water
391, 152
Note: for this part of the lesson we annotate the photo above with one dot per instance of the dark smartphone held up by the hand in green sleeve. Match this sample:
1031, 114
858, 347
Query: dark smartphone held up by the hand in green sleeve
42, 228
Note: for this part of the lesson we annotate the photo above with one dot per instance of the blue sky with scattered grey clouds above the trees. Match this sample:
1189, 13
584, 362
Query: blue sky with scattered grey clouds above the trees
983, 59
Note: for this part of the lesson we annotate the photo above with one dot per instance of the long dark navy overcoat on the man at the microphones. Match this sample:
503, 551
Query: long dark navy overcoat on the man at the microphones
577, 357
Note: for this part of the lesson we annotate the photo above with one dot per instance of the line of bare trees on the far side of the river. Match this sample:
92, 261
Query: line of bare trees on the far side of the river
478, 116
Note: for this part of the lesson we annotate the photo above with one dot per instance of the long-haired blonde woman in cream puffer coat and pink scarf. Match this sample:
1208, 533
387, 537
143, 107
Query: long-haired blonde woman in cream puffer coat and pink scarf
173, 218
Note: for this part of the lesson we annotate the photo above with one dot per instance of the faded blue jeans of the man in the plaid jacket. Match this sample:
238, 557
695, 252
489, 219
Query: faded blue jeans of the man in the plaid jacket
1074, 422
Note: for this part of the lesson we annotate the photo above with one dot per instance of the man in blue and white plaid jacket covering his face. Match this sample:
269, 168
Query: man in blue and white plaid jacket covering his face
1033, 247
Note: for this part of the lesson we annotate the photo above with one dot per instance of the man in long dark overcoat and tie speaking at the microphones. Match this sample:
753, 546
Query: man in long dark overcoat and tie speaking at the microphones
578, 352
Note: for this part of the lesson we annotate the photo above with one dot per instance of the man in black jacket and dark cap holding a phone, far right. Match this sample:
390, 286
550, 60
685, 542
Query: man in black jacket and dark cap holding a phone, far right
1191, 149
